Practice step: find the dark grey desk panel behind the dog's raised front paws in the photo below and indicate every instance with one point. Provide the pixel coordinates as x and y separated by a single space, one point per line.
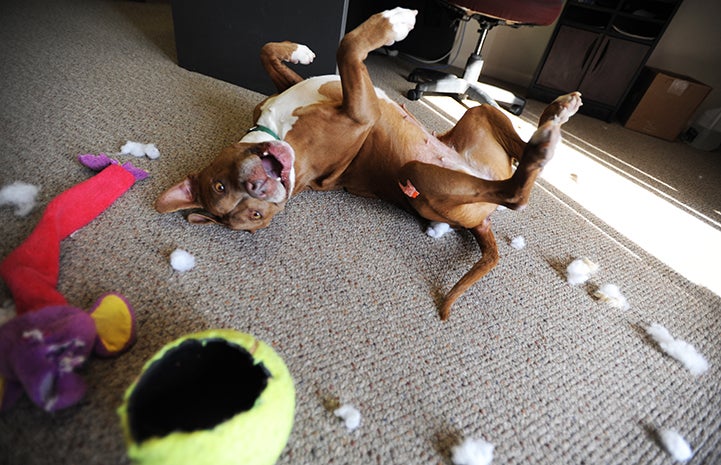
222 38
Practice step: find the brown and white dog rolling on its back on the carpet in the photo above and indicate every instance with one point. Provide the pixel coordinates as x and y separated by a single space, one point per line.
335 132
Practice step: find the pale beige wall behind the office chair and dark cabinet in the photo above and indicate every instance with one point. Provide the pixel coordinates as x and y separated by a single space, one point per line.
690 46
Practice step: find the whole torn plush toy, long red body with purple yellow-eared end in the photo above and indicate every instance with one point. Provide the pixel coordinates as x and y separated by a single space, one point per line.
48 339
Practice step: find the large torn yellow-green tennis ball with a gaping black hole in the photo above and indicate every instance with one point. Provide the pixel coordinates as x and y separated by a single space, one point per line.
216 397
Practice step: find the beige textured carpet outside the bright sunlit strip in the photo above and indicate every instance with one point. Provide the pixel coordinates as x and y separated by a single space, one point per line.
345 289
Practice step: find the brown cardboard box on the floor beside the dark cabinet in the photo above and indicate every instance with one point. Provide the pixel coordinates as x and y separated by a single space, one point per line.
662 103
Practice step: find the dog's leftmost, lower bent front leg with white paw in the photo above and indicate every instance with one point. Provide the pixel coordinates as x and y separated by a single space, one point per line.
274 55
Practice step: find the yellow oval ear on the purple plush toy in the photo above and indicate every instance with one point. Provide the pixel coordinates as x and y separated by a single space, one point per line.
114 323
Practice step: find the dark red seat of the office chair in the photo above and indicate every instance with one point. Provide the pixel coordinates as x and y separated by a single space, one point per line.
537 12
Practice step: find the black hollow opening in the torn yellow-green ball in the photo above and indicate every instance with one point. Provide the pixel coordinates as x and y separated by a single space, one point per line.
195 386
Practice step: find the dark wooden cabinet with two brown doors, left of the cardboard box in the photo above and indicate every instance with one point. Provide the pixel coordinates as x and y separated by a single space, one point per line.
598 48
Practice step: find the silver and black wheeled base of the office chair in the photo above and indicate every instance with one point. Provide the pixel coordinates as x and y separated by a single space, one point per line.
439 83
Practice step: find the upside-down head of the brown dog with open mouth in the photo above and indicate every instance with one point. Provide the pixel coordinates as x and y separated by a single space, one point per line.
243 188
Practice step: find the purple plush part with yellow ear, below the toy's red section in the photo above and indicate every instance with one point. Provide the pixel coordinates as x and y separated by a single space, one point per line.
40 351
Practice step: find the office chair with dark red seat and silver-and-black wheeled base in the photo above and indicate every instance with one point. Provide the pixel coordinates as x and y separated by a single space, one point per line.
489 14
